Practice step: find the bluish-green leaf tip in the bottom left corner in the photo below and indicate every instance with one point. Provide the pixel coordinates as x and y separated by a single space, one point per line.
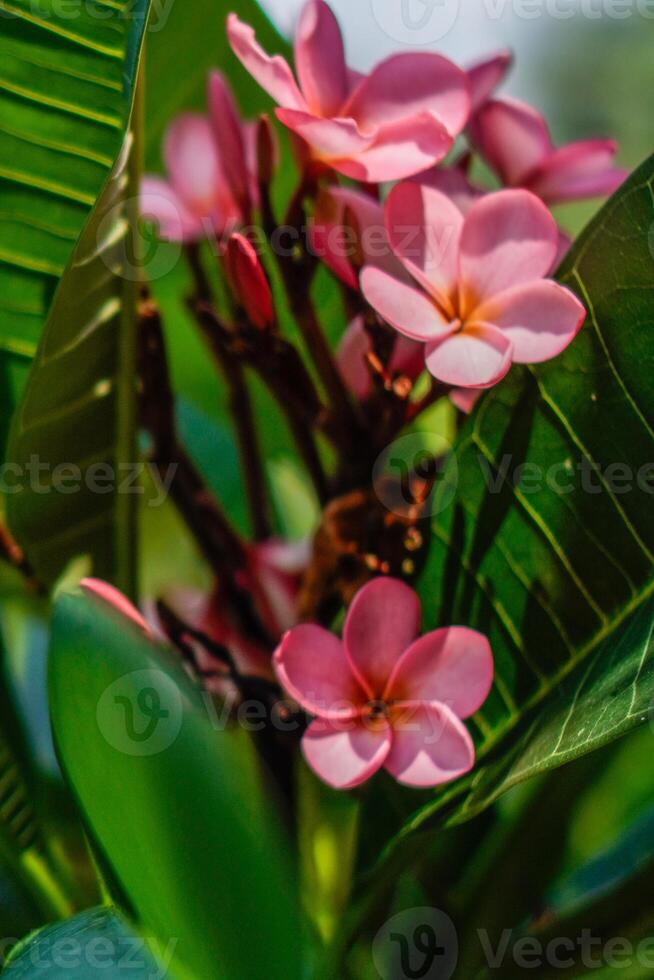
99 943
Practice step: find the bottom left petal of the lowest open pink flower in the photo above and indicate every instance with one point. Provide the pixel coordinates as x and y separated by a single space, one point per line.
345 754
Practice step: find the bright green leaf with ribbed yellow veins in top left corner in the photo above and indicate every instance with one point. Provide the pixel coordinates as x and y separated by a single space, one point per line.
65 91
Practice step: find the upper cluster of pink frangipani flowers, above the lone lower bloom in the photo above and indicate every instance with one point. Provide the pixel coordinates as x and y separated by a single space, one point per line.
463 273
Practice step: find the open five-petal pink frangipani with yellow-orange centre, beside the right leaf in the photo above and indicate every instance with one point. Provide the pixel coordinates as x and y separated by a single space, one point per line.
484 300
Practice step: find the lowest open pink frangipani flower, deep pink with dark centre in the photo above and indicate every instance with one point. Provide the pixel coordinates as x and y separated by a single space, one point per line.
380 696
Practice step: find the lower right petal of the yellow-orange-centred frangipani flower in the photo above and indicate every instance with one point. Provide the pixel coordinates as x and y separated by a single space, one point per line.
539 318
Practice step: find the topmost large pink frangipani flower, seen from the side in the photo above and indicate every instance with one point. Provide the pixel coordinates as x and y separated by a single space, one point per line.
400 119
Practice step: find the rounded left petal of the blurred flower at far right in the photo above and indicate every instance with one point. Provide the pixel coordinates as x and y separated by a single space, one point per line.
512 137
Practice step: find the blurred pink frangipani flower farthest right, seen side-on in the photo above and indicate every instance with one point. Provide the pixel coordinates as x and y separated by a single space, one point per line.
515 142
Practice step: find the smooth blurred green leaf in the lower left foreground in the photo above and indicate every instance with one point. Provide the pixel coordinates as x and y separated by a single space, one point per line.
173 797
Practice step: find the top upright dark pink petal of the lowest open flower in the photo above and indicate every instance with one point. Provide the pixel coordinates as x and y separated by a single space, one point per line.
382 621
